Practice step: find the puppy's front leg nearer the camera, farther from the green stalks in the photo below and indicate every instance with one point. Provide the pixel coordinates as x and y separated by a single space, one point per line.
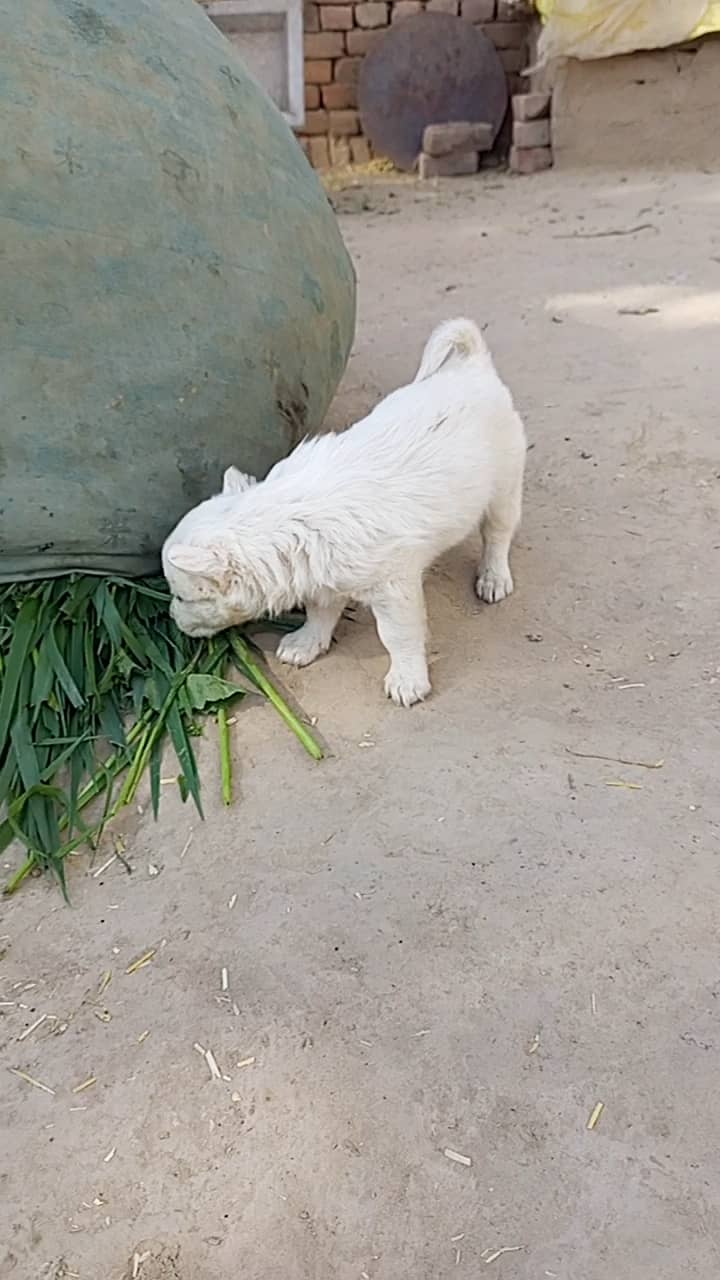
400 615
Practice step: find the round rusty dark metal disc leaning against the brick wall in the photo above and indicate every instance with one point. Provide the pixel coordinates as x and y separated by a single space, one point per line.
430 70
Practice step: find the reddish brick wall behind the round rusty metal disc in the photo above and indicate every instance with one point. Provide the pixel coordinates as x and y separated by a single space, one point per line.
338 36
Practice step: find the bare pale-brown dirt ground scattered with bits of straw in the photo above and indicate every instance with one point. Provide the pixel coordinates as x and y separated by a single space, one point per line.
477 921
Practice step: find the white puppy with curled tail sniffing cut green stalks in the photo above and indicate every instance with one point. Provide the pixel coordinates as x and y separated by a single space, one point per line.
362 515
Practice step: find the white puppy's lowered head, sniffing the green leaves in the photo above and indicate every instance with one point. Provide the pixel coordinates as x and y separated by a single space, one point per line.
212 586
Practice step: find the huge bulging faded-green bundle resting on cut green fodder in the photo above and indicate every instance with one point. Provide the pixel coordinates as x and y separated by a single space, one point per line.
175 292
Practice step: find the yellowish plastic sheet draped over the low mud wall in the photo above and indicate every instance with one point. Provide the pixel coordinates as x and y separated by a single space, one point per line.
601 29
